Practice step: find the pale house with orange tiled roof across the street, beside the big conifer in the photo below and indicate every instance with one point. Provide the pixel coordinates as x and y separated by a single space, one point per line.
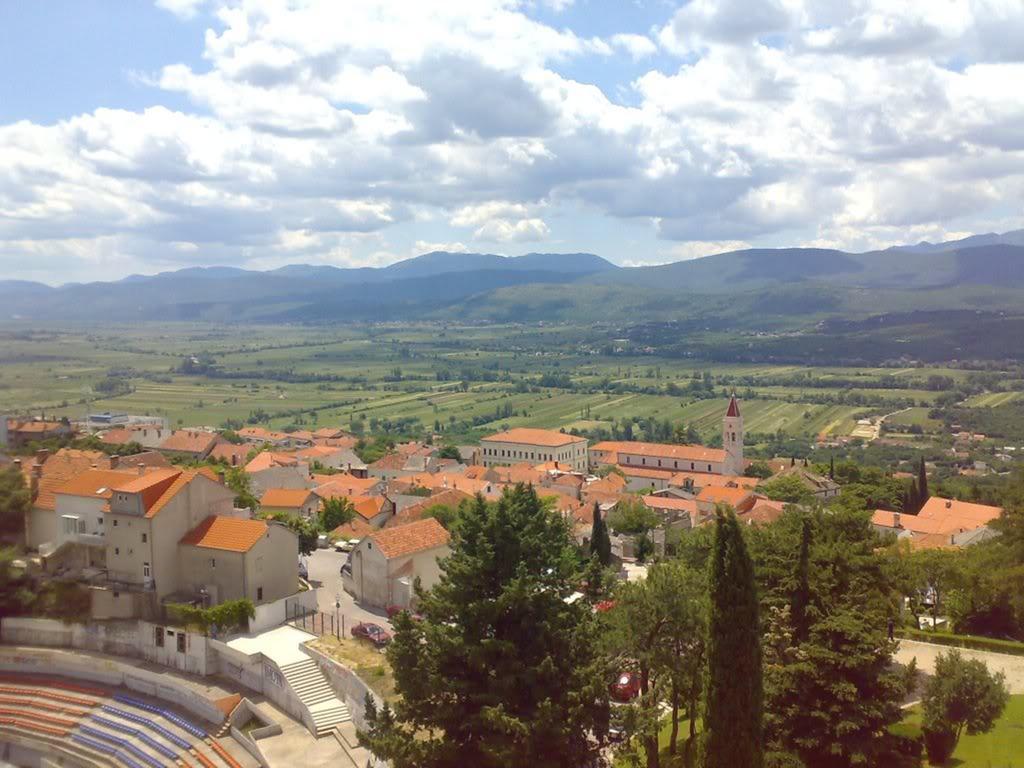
385 567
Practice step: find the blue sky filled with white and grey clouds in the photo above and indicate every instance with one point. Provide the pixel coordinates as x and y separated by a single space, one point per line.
138 138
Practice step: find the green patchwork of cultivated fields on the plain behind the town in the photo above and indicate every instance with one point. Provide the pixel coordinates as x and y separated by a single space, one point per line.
462 380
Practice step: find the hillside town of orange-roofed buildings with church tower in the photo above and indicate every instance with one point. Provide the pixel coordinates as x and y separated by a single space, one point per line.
239 557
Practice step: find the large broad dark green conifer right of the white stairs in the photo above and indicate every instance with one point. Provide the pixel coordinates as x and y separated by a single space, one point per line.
502 670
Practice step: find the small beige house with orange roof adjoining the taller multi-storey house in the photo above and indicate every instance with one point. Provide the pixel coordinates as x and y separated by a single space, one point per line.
232 559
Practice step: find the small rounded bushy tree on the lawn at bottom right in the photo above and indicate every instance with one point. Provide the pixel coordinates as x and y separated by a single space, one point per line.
962 695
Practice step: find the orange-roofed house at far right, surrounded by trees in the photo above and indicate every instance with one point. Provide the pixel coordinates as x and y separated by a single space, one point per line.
942 523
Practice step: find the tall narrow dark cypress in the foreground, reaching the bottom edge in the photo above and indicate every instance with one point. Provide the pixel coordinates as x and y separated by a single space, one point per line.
734 688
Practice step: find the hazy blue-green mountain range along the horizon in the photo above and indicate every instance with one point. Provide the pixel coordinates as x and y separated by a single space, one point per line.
755 288
